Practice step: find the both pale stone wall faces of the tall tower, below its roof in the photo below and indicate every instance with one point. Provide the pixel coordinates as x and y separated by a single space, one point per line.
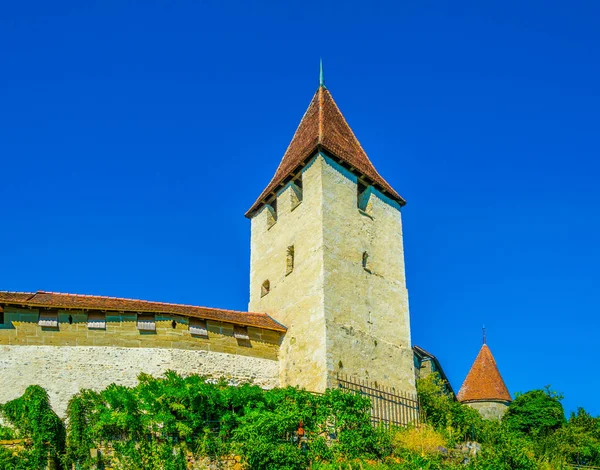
340 317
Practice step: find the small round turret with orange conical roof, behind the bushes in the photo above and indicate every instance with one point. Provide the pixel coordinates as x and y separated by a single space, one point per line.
484 388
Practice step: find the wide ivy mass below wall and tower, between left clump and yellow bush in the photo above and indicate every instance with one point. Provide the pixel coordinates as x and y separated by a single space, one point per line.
177 416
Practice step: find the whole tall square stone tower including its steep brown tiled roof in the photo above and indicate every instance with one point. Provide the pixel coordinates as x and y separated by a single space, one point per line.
327 259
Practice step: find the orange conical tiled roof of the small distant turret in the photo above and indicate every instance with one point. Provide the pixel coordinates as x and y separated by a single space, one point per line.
484 381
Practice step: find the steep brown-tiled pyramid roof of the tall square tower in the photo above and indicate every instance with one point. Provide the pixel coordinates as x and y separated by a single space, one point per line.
324 127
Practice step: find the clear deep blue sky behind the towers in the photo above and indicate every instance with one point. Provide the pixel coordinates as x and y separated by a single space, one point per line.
134 136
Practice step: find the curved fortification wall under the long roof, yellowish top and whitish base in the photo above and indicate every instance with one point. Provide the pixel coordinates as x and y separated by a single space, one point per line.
72 356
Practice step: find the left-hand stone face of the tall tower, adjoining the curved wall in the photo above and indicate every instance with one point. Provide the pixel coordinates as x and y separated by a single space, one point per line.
295 299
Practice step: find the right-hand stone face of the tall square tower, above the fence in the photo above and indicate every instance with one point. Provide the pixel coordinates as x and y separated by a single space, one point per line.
366 307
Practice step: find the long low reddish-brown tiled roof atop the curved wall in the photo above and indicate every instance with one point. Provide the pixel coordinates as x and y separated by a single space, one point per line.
96 302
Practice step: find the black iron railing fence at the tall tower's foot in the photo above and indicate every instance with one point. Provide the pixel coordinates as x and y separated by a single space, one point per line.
388 406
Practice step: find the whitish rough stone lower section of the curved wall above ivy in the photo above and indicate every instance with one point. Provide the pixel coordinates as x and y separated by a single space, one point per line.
64 370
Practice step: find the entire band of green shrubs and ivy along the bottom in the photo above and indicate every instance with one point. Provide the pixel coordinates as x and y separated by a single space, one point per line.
168 422
